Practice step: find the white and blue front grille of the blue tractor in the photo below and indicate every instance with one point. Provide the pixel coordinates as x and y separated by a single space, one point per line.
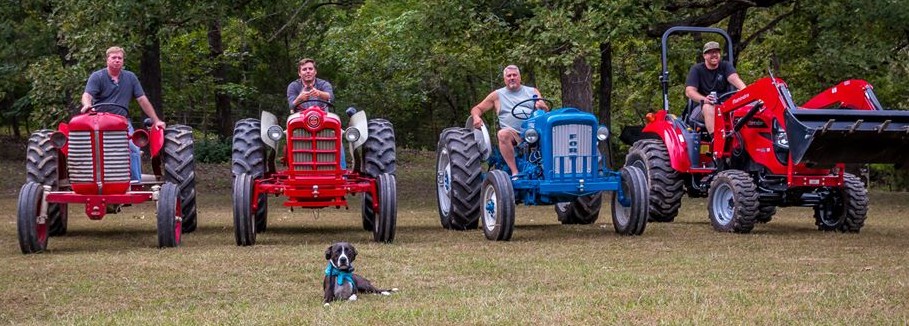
571 151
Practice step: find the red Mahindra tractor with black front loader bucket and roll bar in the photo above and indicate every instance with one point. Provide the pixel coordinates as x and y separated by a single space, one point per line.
766 152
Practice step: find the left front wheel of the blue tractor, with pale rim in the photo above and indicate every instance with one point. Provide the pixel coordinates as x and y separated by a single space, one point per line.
498 206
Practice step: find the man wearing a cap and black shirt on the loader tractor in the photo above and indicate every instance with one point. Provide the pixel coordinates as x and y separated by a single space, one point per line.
712 75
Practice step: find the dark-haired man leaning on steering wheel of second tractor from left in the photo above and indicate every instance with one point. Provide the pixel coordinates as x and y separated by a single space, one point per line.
308 87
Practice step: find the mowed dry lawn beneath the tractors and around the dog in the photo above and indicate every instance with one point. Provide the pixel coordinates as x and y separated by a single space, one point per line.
784 272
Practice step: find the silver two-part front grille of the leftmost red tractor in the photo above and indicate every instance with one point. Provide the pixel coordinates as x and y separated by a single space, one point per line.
114 151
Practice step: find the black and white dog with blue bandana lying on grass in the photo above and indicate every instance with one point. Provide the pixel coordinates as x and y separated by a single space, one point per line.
340 281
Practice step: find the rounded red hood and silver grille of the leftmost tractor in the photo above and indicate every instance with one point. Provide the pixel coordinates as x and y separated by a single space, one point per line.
97 152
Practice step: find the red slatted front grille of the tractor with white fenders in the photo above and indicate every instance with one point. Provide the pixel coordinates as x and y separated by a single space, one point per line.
314 151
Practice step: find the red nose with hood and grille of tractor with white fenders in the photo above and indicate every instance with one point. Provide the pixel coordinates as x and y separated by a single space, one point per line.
314 137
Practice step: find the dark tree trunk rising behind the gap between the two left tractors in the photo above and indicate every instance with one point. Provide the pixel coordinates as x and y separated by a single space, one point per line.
219 74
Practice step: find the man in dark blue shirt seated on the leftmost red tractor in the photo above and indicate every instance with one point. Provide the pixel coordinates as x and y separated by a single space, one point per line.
117 85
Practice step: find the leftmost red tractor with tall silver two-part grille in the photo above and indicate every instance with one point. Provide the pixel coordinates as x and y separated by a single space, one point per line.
87 161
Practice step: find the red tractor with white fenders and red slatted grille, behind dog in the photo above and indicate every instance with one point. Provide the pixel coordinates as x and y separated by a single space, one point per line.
315 174
